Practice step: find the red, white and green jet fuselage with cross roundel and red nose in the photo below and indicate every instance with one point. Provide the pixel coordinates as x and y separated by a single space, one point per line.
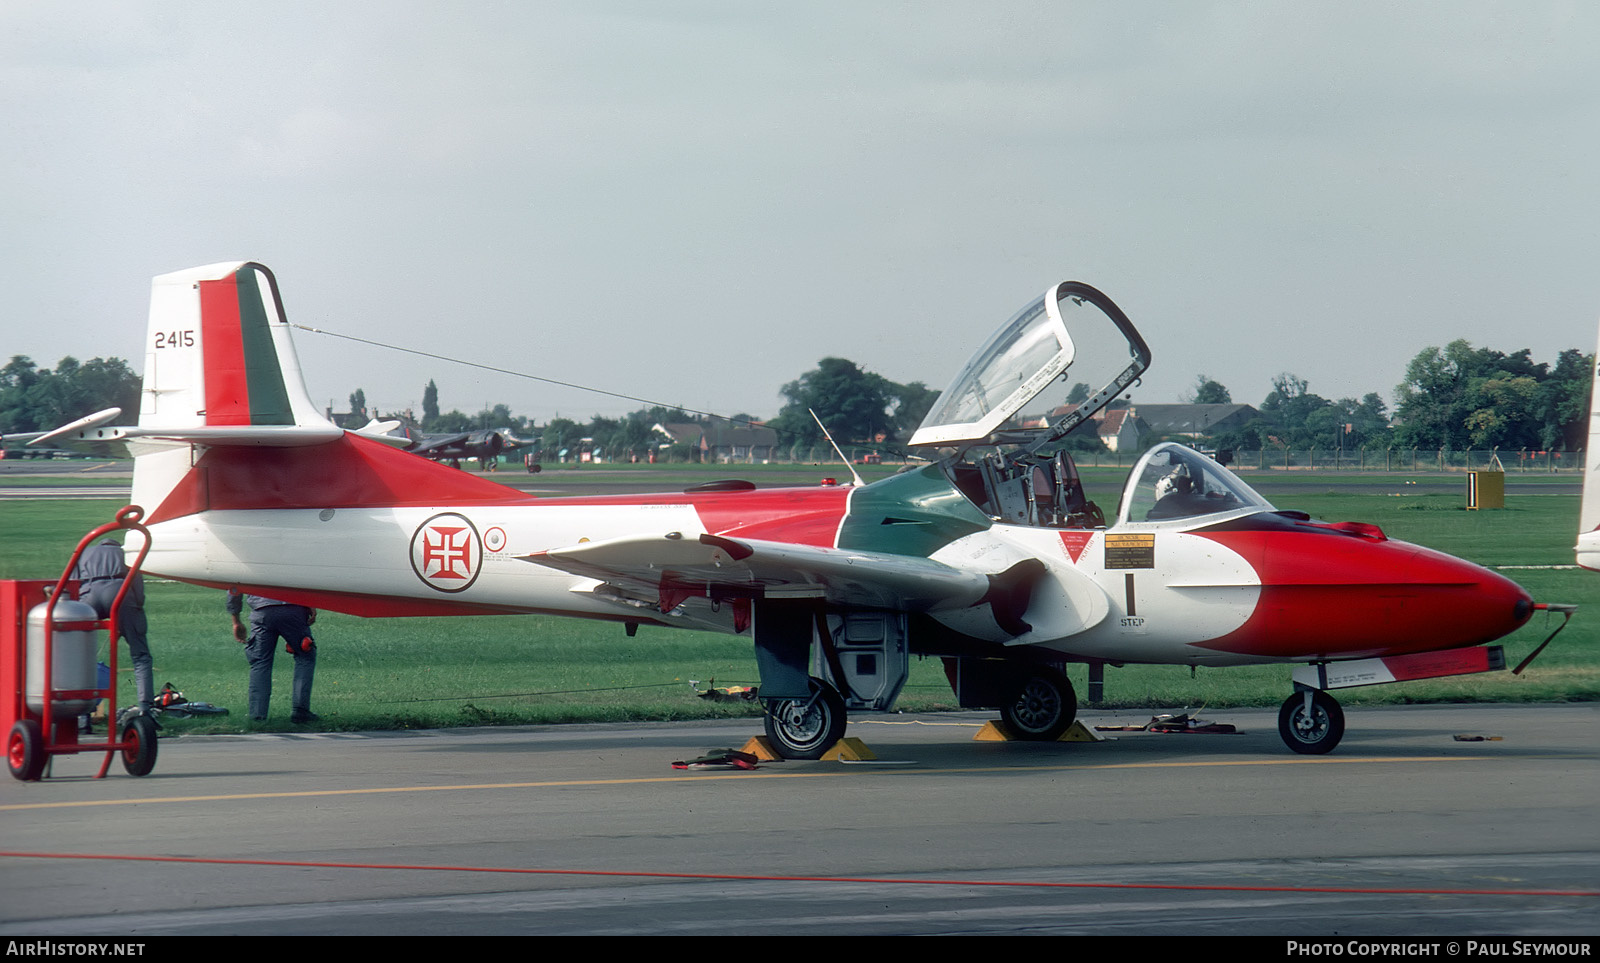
1244 588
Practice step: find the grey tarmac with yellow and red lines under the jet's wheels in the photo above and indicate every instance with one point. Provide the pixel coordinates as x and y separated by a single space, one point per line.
590 831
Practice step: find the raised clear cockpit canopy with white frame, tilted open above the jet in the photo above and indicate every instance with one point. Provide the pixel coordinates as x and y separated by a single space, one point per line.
1046 372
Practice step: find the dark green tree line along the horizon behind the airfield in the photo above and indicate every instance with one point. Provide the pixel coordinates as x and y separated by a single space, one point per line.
1454 398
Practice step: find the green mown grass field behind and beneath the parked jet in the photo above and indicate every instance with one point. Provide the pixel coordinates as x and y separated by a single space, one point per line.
532 669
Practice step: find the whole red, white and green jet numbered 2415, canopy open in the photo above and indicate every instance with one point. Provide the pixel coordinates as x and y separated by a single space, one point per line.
990 556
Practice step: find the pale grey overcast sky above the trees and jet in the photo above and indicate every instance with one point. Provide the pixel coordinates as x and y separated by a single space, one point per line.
694 202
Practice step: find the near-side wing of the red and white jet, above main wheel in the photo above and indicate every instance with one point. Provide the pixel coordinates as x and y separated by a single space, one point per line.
662 567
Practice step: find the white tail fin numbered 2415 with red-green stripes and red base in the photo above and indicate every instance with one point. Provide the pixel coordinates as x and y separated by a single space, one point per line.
226 422
